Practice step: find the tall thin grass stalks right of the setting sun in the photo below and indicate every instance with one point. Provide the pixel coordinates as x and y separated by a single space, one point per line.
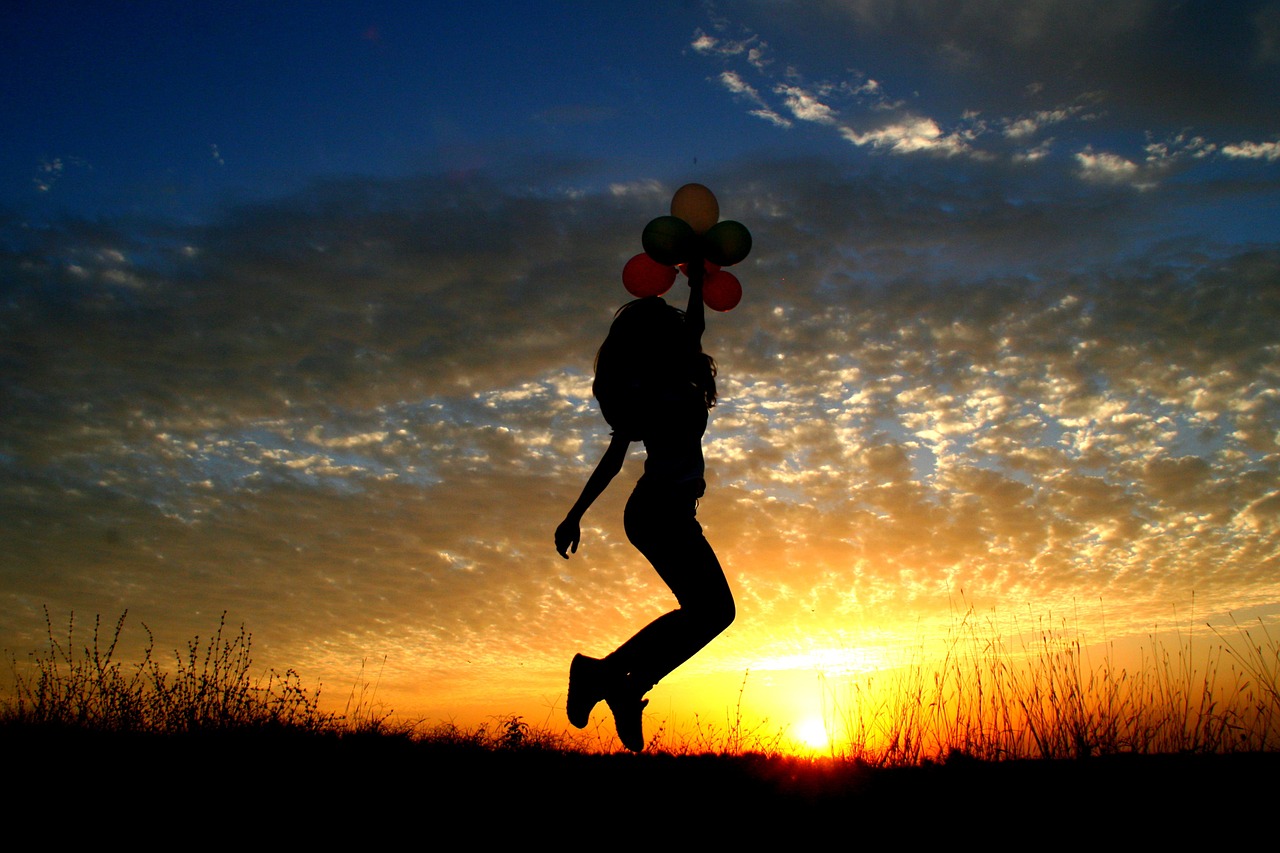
1041 696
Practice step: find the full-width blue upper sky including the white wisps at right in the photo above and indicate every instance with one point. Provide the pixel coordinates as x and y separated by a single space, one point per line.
144 107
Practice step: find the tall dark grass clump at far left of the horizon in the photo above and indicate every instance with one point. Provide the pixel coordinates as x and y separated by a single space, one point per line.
209 687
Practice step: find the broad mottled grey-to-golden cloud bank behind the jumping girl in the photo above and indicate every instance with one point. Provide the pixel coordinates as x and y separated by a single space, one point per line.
355 416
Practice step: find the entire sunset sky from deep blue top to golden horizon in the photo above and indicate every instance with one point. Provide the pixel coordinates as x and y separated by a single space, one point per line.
299 307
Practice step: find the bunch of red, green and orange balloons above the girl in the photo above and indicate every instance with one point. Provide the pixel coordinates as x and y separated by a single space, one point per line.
692 235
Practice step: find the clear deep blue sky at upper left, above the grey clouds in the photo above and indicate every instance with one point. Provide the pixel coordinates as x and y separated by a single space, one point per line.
145 103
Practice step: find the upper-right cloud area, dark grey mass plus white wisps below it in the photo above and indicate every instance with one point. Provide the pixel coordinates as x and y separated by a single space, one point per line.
998 80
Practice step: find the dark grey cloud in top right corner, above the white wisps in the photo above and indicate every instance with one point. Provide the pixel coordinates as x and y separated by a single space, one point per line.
1196 65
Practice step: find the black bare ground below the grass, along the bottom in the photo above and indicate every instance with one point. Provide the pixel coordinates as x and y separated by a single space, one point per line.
312 790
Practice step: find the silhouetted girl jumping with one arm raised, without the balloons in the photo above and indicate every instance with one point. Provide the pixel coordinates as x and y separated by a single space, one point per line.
656 386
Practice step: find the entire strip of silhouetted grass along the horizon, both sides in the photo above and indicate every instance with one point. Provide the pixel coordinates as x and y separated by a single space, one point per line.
988 697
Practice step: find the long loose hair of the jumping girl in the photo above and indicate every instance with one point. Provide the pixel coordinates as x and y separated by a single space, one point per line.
648 349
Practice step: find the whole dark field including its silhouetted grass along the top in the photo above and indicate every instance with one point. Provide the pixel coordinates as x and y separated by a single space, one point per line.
1030 740
